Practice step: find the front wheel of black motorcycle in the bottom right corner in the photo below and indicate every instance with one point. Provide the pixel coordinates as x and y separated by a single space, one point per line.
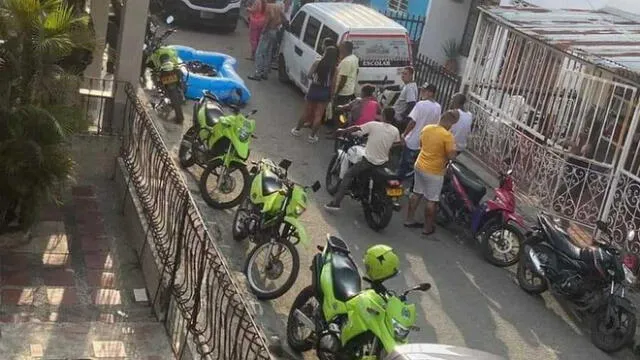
608 337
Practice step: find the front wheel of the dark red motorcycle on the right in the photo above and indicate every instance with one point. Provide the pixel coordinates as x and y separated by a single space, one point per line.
501 244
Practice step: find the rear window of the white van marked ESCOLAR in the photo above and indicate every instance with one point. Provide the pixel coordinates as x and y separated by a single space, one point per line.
381 50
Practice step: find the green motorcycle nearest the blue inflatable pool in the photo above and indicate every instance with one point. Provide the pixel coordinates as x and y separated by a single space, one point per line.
220 144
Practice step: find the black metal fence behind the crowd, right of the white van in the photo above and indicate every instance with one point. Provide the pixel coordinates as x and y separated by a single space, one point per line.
429 71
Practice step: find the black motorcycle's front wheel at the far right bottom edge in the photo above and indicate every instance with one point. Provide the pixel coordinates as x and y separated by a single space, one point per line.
599 322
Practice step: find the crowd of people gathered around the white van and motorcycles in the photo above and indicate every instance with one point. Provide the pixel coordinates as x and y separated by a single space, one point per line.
429 136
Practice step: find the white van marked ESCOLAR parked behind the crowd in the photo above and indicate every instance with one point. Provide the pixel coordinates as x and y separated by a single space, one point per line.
381 44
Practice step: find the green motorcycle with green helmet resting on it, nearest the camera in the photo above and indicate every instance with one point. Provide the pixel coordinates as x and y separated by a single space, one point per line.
342 321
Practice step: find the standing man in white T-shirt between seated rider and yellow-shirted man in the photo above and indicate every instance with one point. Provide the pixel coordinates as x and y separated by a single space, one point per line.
426 112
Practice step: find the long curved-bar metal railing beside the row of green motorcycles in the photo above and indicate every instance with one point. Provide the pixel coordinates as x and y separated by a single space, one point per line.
194 274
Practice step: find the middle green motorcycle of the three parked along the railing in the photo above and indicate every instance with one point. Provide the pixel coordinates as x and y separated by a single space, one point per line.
269 217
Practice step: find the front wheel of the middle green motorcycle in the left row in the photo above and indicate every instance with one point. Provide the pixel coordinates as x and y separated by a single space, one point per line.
264 279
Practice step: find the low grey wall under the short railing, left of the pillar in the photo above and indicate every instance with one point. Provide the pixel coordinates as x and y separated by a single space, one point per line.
95 156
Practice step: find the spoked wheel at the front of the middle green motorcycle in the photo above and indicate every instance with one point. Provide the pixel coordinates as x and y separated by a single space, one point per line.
269 294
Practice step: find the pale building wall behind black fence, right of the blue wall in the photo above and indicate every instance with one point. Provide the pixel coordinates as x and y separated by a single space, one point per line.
446 20
